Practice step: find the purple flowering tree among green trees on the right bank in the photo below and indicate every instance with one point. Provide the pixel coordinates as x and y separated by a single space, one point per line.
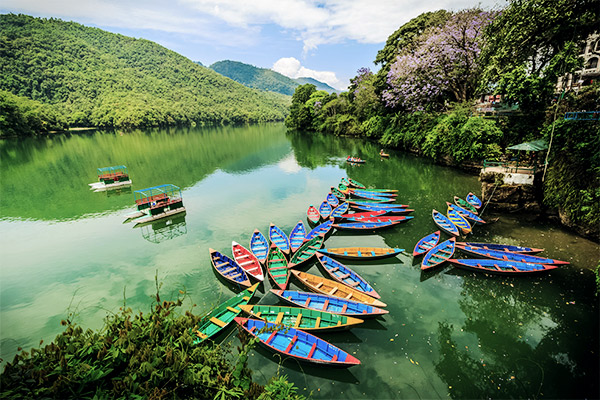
442 66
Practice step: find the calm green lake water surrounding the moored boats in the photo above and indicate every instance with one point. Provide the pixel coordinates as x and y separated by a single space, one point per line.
65 252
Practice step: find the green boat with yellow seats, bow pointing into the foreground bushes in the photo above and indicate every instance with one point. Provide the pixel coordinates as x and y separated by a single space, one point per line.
222 315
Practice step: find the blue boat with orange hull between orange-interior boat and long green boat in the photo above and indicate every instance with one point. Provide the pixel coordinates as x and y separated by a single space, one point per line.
332 304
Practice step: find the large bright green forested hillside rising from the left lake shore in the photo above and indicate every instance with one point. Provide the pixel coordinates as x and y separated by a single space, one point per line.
91 77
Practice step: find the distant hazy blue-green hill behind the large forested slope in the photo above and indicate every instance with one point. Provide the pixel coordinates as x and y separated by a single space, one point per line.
264 79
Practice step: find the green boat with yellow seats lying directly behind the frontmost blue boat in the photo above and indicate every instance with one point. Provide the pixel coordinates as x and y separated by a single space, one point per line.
301 318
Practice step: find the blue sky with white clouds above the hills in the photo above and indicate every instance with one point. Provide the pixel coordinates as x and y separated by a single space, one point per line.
328 40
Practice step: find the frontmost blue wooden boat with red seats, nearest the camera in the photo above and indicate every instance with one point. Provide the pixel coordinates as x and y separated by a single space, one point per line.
297 344
